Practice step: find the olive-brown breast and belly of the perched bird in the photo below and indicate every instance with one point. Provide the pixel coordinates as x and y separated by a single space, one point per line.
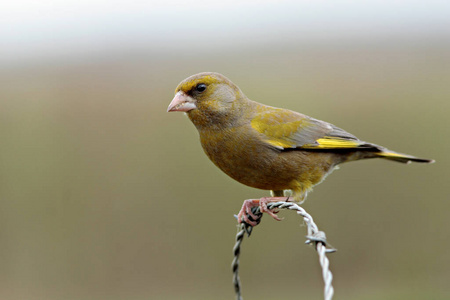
250 161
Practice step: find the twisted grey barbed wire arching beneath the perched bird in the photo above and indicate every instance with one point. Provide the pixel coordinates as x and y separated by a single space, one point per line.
314 237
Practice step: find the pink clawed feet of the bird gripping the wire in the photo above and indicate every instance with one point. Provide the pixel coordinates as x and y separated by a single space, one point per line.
246 211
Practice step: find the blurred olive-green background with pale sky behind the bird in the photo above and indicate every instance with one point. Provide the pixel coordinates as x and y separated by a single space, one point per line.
104 195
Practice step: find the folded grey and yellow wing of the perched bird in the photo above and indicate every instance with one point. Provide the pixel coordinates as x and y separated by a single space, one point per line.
285 129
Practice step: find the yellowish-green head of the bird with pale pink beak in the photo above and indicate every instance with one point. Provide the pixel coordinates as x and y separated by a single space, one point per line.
208 99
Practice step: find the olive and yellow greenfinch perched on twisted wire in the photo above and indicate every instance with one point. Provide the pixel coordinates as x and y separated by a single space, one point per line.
266 147
